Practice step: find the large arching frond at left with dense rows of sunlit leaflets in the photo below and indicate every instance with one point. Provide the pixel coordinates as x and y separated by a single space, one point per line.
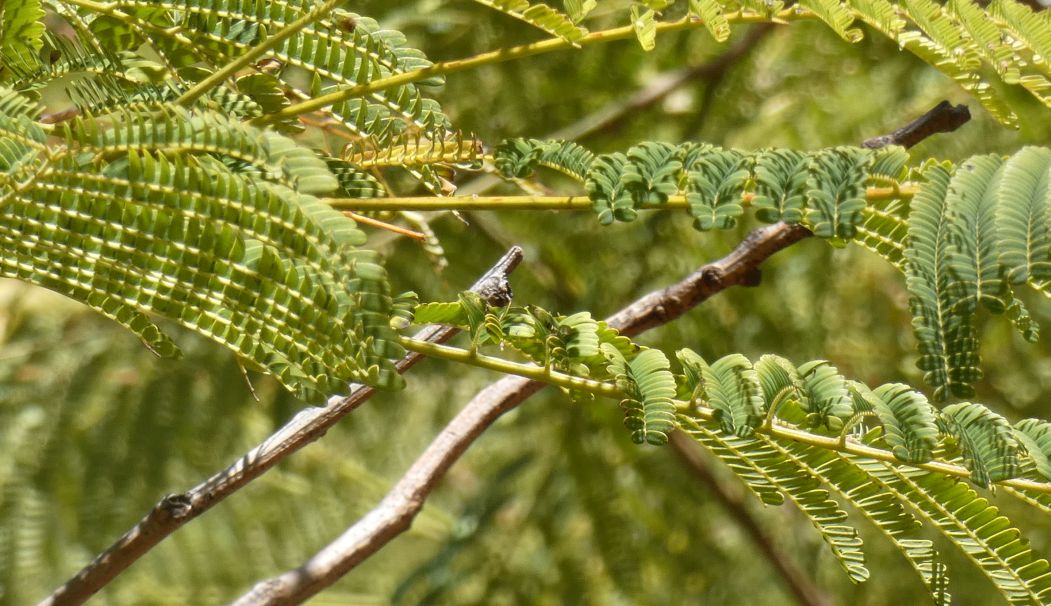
205 221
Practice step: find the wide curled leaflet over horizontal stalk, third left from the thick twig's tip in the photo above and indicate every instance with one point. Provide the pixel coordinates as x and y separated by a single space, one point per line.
716 182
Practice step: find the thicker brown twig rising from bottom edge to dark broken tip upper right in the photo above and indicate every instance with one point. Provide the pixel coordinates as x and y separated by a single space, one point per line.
397 511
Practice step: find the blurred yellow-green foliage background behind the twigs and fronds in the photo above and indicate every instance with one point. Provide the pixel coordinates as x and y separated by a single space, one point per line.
554 506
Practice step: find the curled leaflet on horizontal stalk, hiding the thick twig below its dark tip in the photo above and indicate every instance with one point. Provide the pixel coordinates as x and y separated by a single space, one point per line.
836 193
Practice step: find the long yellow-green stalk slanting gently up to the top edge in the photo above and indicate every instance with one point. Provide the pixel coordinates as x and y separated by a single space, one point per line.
511 54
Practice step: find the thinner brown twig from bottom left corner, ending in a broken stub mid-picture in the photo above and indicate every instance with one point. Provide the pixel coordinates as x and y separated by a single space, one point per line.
175 511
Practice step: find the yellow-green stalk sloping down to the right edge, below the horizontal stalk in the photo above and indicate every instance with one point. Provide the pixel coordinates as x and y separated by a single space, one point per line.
775 429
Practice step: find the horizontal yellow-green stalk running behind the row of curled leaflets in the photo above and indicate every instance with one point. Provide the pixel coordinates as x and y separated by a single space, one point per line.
468 203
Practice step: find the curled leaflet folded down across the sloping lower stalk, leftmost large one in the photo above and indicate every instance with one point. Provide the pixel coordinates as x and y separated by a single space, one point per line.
650 387
